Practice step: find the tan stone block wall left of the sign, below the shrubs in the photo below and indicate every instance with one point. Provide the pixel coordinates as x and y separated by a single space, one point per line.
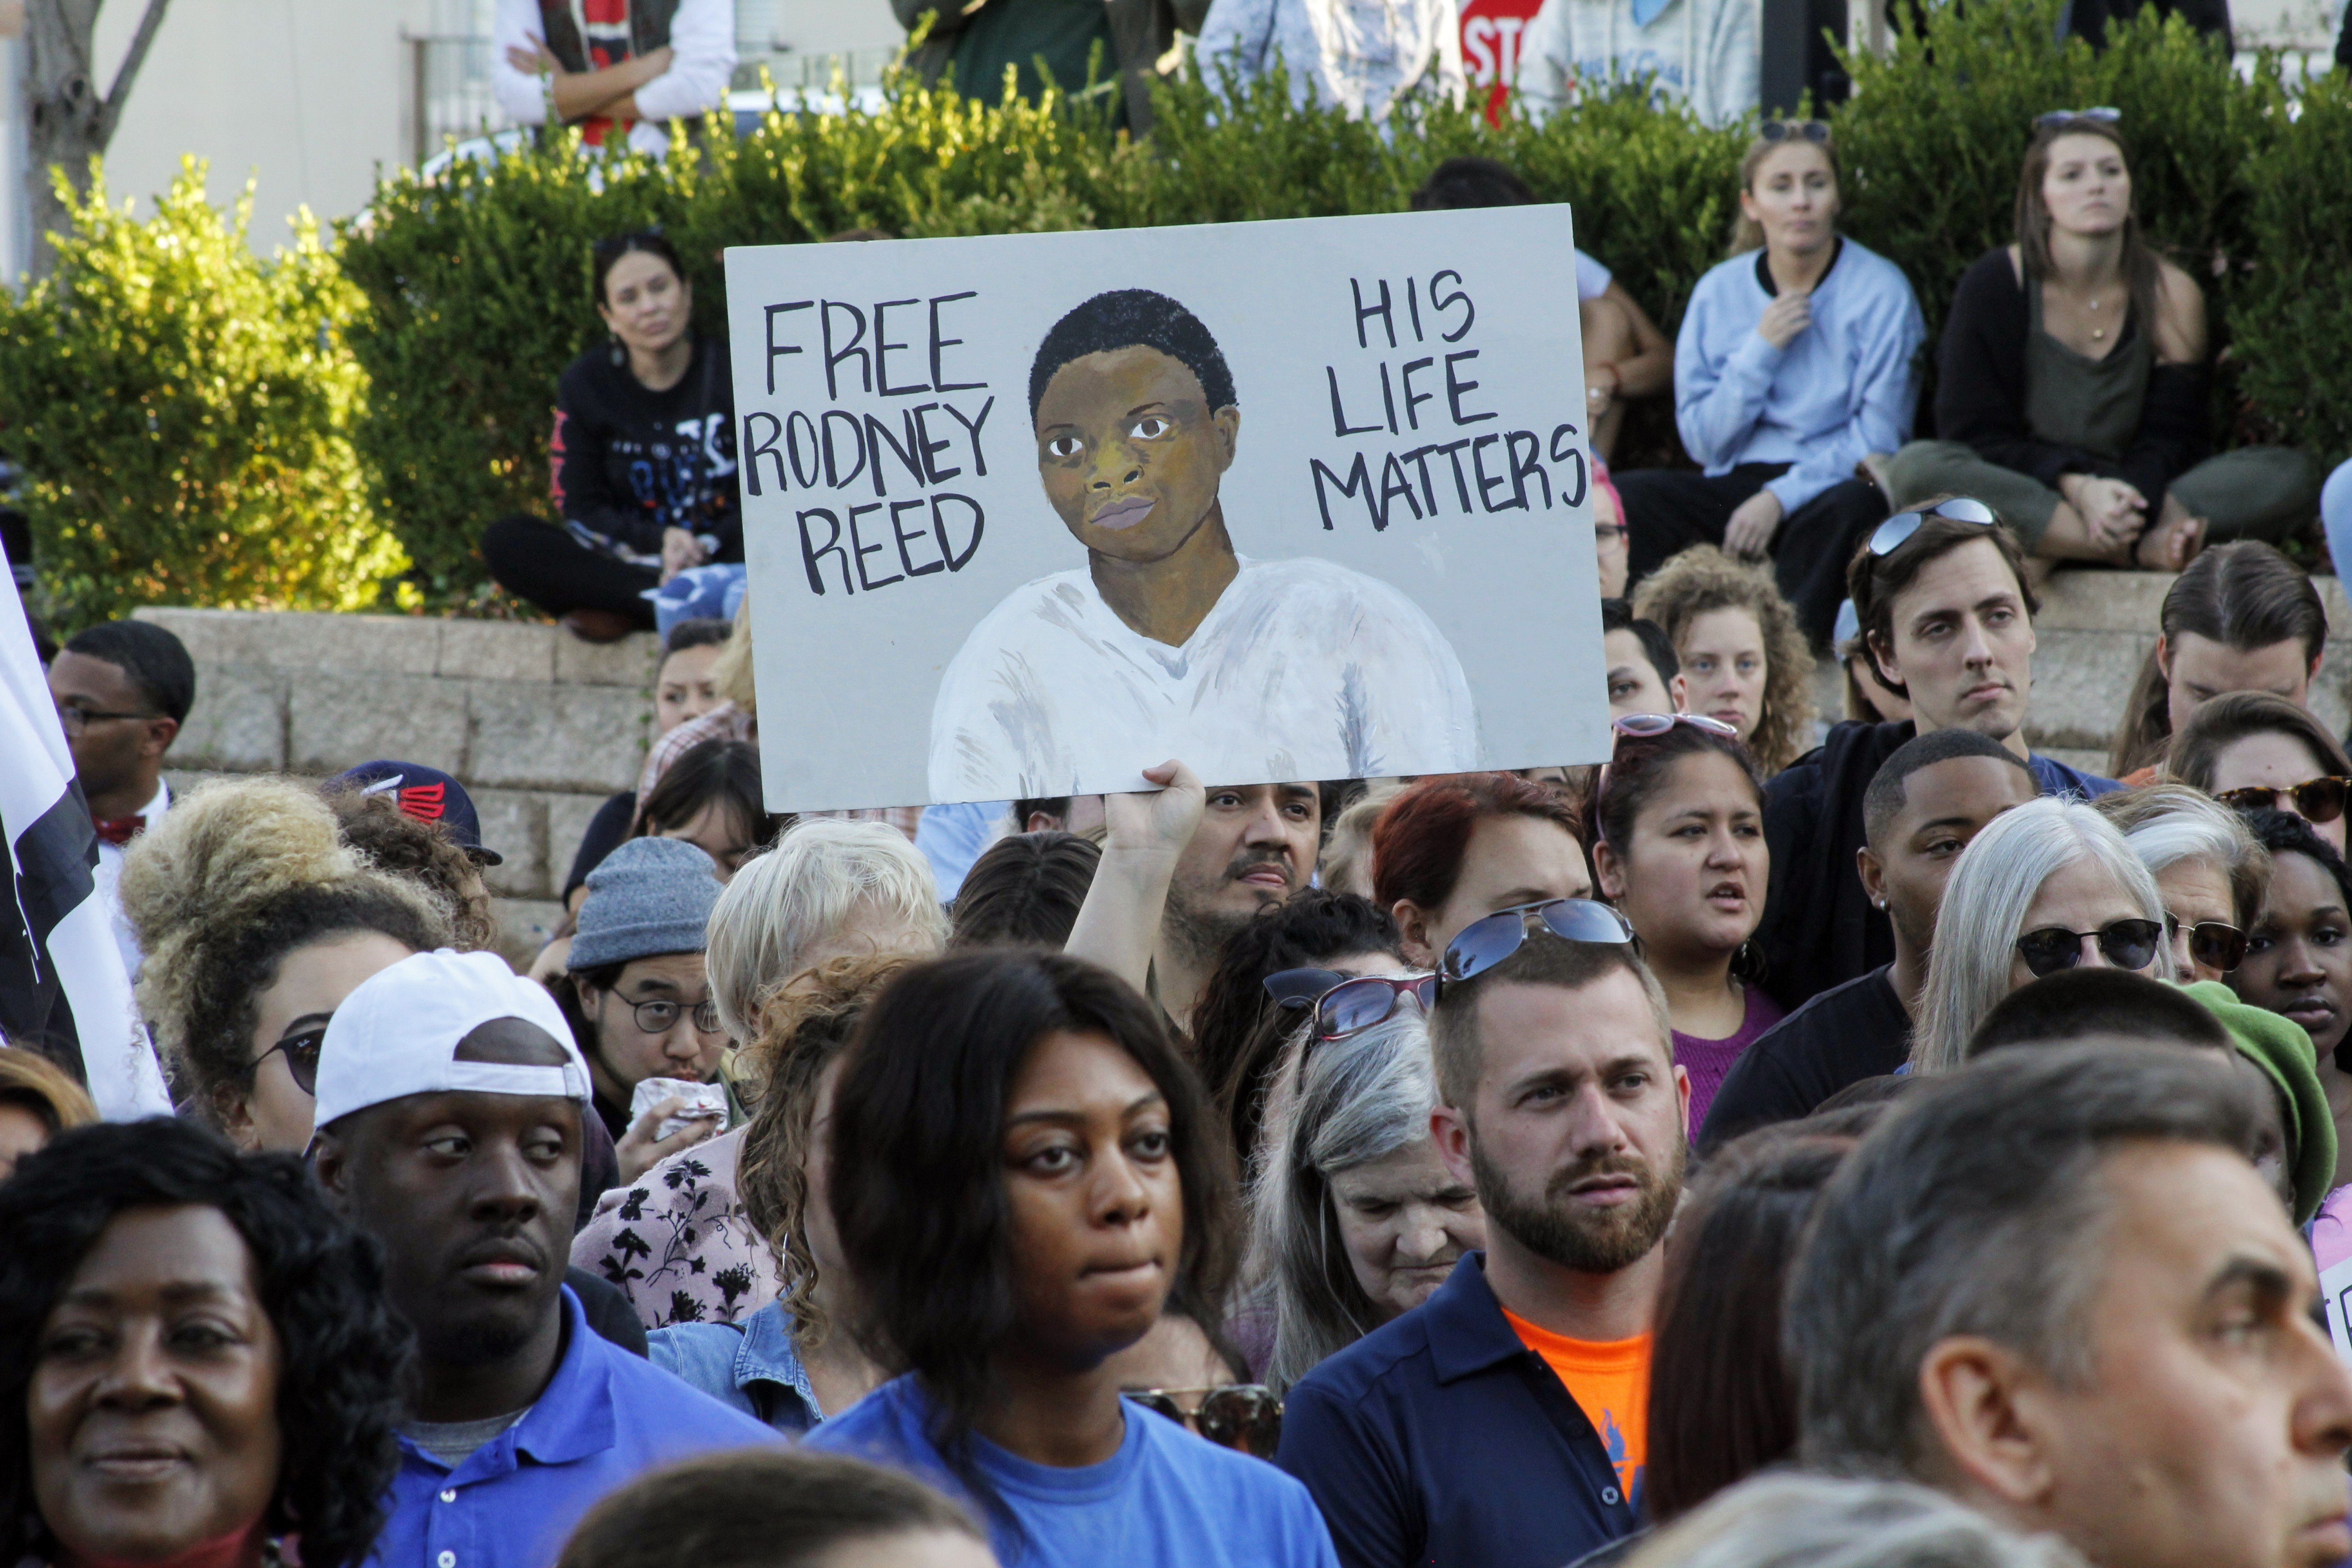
535 723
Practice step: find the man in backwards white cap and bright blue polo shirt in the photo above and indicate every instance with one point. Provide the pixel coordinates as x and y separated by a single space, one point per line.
450 1106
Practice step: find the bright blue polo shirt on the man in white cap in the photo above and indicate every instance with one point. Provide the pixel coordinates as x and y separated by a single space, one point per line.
606 1419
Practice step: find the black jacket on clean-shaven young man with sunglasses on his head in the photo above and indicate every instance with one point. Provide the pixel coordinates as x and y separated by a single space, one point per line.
1819 927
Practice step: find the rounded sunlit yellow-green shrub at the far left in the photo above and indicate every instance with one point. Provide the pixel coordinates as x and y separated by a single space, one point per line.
185 415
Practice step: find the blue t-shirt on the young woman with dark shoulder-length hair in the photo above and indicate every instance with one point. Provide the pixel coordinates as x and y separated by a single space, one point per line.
1168 1499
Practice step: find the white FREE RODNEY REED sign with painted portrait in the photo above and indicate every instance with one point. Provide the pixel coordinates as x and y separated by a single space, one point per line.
1290 502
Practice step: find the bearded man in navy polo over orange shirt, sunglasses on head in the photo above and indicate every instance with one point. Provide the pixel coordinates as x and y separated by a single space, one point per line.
1504 1423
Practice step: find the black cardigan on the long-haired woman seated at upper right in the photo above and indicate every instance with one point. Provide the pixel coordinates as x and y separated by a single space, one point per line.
1982 394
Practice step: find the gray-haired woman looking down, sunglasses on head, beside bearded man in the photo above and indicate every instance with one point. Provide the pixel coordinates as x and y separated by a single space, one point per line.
1356 1217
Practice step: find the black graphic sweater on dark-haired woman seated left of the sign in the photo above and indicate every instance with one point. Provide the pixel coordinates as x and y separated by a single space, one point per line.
632 462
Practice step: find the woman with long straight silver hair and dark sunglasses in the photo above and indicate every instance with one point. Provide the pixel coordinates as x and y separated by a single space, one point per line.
2045 887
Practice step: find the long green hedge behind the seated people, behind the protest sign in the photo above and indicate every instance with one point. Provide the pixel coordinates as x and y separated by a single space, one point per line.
476 283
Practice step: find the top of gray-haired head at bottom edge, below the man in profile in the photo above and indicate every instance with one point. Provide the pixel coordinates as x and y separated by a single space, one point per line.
1829 1522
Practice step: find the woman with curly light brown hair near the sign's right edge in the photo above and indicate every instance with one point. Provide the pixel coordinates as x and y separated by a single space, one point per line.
1742 650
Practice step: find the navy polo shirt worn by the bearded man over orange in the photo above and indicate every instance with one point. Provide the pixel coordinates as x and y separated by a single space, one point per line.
1445 1440
